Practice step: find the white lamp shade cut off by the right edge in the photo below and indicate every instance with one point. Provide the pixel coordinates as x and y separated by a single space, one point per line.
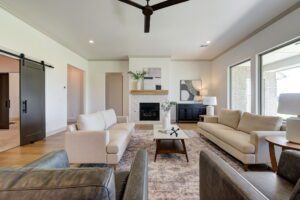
289 103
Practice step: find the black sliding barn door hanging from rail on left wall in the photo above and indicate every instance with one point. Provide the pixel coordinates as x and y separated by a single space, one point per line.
32 105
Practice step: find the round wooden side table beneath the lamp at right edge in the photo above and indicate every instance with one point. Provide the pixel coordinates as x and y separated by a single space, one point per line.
282 142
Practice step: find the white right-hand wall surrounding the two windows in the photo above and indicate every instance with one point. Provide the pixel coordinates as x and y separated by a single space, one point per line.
281 31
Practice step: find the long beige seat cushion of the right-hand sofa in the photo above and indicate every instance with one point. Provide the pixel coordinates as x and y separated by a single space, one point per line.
237 139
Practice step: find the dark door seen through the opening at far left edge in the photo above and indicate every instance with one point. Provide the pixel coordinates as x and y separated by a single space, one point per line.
4 101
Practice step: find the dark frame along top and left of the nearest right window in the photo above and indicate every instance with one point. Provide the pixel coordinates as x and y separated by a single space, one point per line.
260 69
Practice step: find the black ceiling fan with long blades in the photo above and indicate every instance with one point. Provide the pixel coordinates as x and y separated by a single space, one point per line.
148 10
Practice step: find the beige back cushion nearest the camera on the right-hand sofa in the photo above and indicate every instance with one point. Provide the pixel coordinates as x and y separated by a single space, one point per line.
250 122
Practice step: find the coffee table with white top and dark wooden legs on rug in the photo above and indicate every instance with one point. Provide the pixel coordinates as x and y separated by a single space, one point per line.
166 143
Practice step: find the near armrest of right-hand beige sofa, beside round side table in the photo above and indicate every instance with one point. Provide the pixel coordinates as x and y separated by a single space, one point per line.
258 139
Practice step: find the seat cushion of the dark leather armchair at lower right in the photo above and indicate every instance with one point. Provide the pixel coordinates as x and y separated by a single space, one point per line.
271 185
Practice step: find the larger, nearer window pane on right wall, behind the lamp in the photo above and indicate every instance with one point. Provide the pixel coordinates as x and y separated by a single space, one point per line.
280 73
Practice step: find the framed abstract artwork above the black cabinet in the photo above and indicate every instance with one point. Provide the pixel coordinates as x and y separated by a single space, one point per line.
190 90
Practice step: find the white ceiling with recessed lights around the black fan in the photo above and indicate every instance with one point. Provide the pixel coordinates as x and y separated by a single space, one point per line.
117 28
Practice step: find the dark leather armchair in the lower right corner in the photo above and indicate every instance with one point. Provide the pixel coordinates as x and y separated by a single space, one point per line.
219 181
